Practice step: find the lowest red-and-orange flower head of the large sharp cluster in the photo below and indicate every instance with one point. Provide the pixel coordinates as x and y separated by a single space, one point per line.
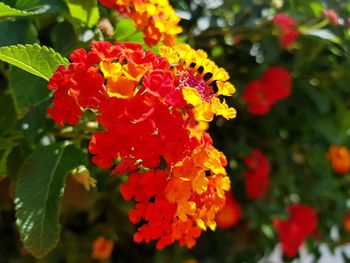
180 204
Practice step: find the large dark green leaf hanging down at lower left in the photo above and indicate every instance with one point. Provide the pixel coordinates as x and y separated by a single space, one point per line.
39 190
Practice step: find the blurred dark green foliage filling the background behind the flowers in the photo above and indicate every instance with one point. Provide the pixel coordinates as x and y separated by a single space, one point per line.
239 36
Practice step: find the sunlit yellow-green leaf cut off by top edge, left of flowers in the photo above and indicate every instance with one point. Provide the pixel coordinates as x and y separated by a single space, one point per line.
84 12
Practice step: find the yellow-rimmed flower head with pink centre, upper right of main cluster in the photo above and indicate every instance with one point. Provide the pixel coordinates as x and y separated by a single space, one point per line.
201 82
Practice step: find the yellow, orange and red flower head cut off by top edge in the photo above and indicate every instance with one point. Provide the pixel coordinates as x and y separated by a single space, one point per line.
156 18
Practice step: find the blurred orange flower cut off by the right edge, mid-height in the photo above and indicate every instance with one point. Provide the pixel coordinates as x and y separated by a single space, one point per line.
339 157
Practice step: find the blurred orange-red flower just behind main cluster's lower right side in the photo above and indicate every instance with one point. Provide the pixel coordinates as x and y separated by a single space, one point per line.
230 214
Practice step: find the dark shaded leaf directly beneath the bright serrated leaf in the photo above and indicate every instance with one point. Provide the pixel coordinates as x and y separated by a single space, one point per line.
27 90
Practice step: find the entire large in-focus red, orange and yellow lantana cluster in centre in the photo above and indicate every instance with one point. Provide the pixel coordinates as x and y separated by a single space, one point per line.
153 111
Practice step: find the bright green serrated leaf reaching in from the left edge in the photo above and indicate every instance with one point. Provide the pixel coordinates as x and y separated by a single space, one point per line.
35 59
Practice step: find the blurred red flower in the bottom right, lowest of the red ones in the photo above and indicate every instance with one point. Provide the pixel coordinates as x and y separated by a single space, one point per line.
301 224
